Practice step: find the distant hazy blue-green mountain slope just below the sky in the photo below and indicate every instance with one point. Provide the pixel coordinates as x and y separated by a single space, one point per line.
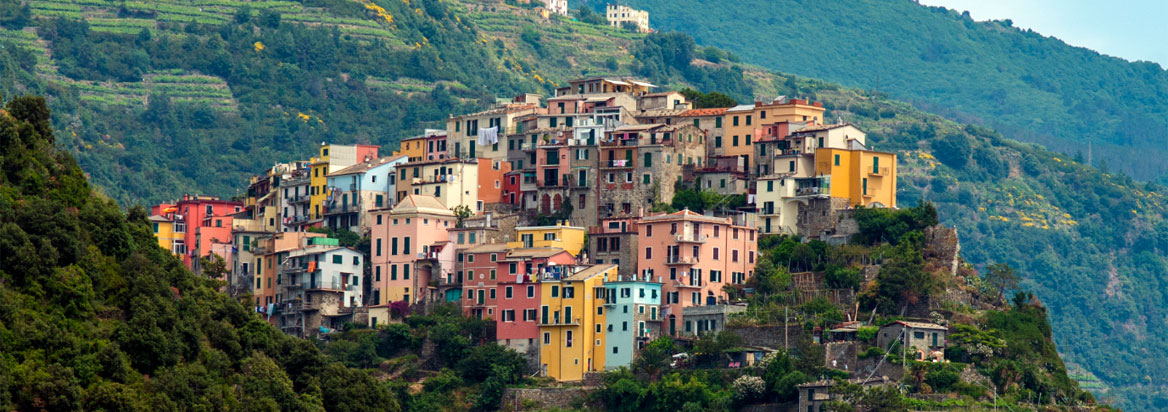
1030 87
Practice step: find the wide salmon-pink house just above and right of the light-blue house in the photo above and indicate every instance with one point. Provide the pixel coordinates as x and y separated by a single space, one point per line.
694 256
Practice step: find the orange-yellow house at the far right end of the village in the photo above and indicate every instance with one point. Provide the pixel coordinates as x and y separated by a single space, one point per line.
865 178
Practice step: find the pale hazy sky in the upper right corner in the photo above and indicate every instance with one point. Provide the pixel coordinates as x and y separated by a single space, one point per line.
1132 30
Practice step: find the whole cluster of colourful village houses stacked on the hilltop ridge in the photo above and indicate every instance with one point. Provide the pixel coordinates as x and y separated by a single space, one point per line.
558 221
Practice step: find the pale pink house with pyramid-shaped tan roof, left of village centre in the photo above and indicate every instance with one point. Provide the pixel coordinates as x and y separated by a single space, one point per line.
409 247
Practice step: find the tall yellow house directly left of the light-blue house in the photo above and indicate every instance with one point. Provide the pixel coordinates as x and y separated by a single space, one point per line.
572 322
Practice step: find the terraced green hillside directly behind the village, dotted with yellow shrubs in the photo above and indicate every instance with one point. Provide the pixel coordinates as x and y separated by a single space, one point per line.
1090 245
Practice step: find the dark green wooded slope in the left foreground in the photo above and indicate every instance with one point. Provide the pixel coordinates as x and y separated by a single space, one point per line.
96 317
